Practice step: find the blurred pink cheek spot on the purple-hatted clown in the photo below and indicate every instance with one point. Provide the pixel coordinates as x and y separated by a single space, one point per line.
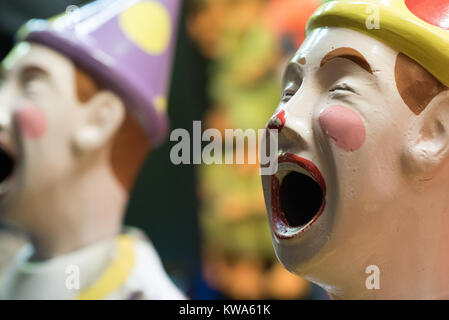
33 122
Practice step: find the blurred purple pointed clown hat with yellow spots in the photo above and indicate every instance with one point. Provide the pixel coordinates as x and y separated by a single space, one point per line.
127 45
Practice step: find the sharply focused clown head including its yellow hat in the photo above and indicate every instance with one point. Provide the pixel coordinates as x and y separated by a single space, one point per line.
363 168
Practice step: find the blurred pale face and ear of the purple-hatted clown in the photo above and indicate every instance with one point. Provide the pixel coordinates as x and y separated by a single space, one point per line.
45 132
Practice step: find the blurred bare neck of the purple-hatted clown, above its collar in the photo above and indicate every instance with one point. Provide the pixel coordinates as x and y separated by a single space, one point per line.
86 210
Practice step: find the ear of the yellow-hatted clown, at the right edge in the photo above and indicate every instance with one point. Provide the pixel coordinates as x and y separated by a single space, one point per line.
427 147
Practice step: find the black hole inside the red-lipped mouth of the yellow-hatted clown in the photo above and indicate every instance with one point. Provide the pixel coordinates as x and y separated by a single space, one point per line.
300 198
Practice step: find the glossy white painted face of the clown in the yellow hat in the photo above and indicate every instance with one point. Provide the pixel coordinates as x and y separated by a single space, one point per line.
358 169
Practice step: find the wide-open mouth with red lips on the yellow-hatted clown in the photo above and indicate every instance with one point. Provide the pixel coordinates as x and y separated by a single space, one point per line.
298 193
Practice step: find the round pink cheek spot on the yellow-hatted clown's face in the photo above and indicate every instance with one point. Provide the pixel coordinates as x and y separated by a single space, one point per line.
344 126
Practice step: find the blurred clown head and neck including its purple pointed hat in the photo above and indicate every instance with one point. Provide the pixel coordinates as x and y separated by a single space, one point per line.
81 104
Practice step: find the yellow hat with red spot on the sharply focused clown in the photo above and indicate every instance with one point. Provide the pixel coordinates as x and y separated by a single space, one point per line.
417 28
